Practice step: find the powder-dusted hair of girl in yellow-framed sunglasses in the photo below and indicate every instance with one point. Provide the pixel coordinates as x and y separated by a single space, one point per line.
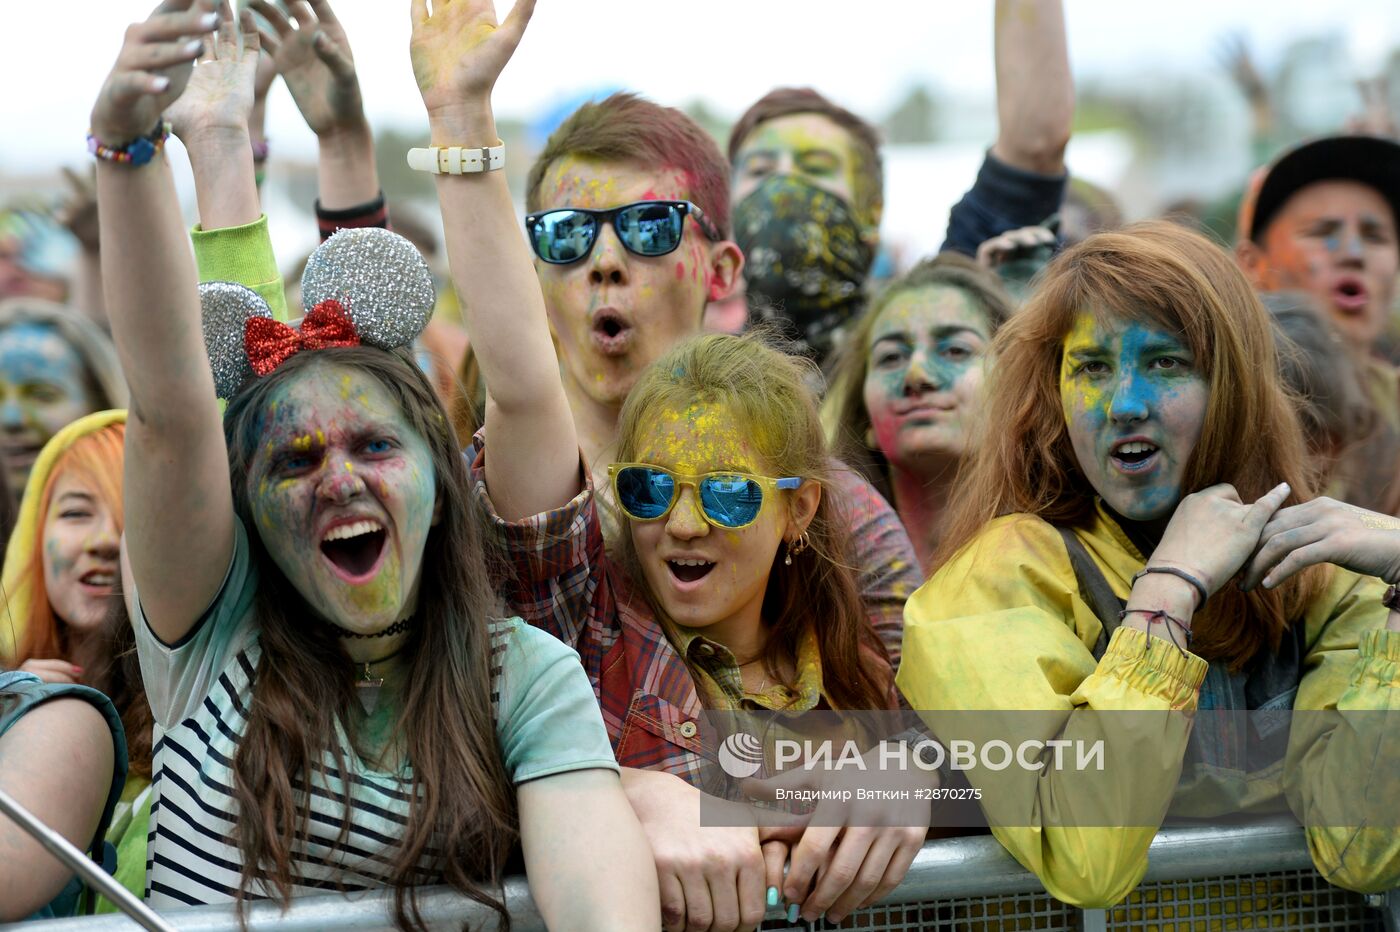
766 391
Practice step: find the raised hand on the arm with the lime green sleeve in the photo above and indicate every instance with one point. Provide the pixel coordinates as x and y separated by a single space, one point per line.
222 90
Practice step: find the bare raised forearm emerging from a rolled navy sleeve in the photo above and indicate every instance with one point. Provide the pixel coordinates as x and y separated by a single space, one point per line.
1035 93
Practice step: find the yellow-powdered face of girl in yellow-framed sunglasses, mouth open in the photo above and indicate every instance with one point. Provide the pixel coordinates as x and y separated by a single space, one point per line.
703 576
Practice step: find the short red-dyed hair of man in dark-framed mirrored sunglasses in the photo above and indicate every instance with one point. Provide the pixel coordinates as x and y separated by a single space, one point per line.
626 128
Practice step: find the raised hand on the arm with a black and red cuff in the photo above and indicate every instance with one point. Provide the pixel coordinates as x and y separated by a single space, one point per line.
313 55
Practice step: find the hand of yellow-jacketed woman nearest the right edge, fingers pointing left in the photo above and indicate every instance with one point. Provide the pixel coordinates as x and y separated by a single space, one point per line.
1325 531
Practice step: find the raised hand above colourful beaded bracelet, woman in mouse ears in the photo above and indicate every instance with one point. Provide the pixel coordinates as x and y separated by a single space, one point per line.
152 69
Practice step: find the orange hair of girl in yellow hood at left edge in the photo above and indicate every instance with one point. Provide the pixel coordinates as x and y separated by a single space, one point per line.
97 458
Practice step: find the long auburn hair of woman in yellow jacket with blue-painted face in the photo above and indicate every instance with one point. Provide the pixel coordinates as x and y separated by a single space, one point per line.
1172 279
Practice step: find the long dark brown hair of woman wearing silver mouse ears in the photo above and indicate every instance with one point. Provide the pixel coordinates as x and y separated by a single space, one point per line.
463 810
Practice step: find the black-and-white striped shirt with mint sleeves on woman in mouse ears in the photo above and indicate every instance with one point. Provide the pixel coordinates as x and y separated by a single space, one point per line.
201 692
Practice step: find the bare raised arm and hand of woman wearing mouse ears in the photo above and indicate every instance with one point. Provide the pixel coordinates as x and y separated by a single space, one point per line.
180 517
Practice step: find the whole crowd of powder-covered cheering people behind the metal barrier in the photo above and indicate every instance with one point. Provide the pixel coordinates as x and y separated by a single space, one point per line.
372 600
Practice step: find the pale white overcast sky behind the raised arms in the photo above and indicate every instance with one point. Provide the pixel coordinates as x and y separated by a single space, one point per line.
727 52
